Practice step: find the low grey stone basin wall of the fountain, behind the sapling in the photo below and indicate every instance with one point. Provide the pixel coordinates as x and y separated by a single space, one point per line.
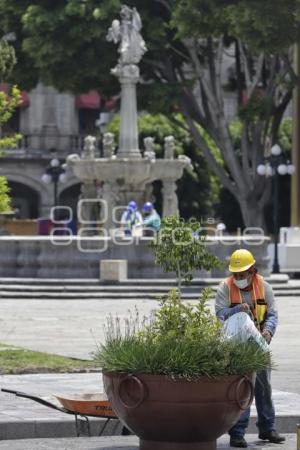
77 257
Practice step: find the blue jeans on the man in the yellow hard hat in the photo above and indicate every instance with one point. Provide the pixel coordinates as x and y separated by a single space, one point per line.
264 407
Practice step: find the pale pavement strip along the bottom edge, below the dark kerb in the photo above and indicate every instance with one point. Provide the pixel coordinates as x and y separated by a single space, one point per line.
128 443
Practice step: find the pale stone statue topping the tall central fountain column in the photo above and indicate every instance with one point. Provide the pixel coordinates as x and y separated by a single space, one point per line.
132 45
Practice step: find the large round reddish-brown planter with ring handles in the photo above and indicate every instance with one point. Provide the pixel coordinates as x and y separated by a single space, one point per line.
168 414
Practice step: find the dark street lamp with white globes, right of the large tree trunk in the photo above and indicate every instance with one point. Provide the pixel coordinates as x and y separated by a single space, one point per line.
275 165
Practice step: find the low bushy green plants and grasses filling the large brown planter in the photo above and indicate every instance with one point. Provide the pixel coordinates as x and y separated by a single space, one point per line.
181 340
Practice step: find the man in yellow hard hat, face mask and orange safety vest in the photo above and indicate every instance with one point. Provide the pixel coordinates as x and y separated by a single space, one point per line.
245 290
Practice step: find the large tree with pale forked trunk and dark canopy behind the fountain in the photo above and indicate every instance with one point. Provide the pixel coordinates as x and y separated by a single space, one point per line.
190 42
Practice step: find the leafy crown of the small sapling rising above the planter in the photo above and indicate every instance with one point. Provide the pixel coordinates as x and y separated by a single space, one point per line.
180 248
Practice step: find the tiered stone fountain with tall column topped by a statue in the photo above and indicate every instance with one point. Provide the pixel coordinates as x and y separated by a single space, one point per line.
128 173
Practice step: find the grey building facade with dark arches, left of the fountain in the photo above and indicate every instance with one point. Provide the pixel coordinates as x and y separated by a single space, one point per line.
52 124
